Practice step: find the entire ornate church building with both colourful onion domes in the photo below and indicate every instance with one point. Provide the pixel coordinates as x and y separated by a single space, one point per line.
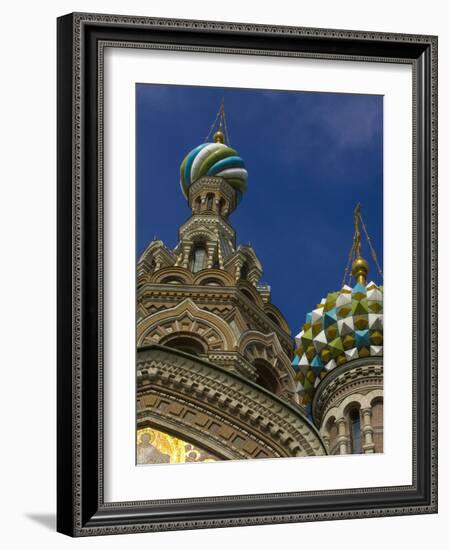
218 374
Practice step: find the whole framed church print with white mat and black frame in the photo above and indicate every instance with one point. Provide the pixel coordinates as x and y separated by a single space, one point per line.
246 274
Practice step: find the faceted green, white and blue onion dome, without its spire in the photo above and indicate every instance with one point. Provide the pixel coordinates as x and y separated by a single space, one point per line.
346 325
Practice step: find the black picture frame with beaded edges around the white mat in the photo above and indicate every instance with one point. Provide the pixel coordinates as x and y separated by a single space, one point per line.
81 509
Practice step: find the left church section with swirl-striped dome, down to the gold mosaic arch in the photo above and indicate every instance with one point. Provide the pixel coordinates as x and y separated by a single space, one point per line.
214 354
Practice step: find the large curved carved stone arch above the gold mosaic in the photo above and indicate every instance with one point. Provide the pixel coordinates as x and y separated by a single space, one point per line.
226 398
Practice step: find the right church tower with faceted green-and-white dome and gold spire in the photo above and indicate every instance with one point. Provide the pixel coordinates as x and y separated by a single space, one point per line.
339 359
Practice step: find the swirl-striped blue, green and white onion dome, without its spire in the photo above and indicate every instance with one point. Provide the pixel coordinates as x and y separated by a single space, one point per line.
214 159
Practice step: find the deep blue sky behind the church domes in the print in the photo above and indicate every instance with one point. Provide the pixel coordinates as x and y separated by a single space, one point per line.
310 157
